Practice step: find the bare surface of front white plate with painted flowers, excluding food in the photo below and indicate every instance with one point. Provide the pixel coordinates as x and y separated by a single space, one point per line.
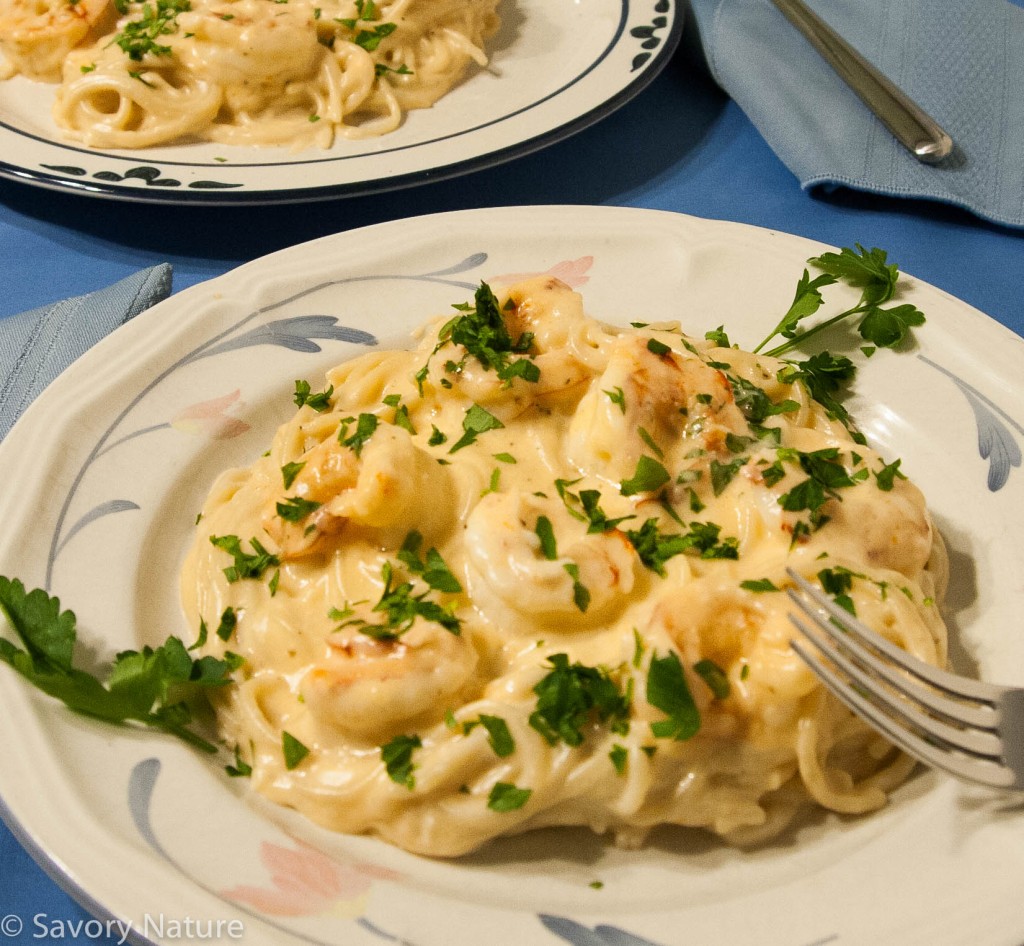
105 474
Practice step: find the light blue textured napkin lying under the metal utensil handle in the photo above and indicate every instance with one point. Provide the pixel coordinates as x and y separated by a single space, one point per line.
963 61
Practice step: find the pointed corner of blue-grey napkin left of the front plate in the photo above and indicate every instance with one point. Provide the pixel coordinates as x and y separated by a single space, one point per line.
36 347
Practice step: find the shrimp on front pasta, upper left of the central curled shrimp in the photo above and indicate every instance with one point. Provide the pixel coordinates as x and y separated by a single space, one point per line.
380 488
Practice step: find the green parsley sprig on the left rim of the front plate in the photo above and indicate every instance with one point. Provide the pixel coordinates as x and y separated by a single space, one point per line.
155 687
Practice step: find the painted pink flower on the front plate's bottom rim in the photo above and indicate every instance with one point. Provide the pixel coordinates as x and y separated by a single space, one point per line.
307 882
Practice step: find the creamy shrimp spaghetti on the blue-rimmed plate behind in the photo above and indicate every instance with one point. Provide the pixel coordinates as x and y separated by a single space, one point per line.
298 73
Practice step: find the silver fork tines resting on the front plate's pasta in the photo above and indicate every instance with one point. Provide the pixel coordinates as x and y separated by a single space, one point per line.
971 729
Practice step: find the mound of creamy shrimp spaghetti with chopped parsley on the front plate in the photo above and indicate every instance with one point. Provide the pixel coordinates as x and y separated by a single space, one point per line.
532 573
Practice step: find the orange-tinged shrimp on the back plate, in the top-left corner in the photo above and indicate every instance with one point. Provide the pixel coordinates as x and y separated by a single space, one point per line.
37 35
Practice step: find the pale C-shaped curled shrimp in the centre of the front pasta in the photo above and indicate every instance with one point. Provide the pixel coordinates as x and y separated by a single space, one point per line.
507 558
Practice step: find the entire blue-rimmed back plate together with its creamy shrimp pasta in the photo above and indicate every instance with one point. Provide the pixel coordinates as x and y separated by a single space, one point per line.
231 102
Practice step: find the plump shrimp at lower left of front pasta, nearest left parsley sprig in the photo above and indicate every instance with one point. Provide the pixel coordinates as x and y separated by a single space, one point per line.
368 686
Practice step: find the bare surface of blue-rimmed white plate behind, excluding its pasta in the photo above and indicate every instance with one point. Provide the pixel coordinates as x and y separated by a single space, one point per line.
556 69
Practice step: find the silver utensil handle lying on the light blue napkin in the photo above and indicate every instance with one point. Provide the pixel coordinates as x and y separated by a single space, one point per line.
917 131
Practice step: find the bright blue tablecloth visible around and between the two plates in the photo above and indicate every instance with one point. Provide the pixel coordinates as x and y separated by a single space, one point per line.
681 146
